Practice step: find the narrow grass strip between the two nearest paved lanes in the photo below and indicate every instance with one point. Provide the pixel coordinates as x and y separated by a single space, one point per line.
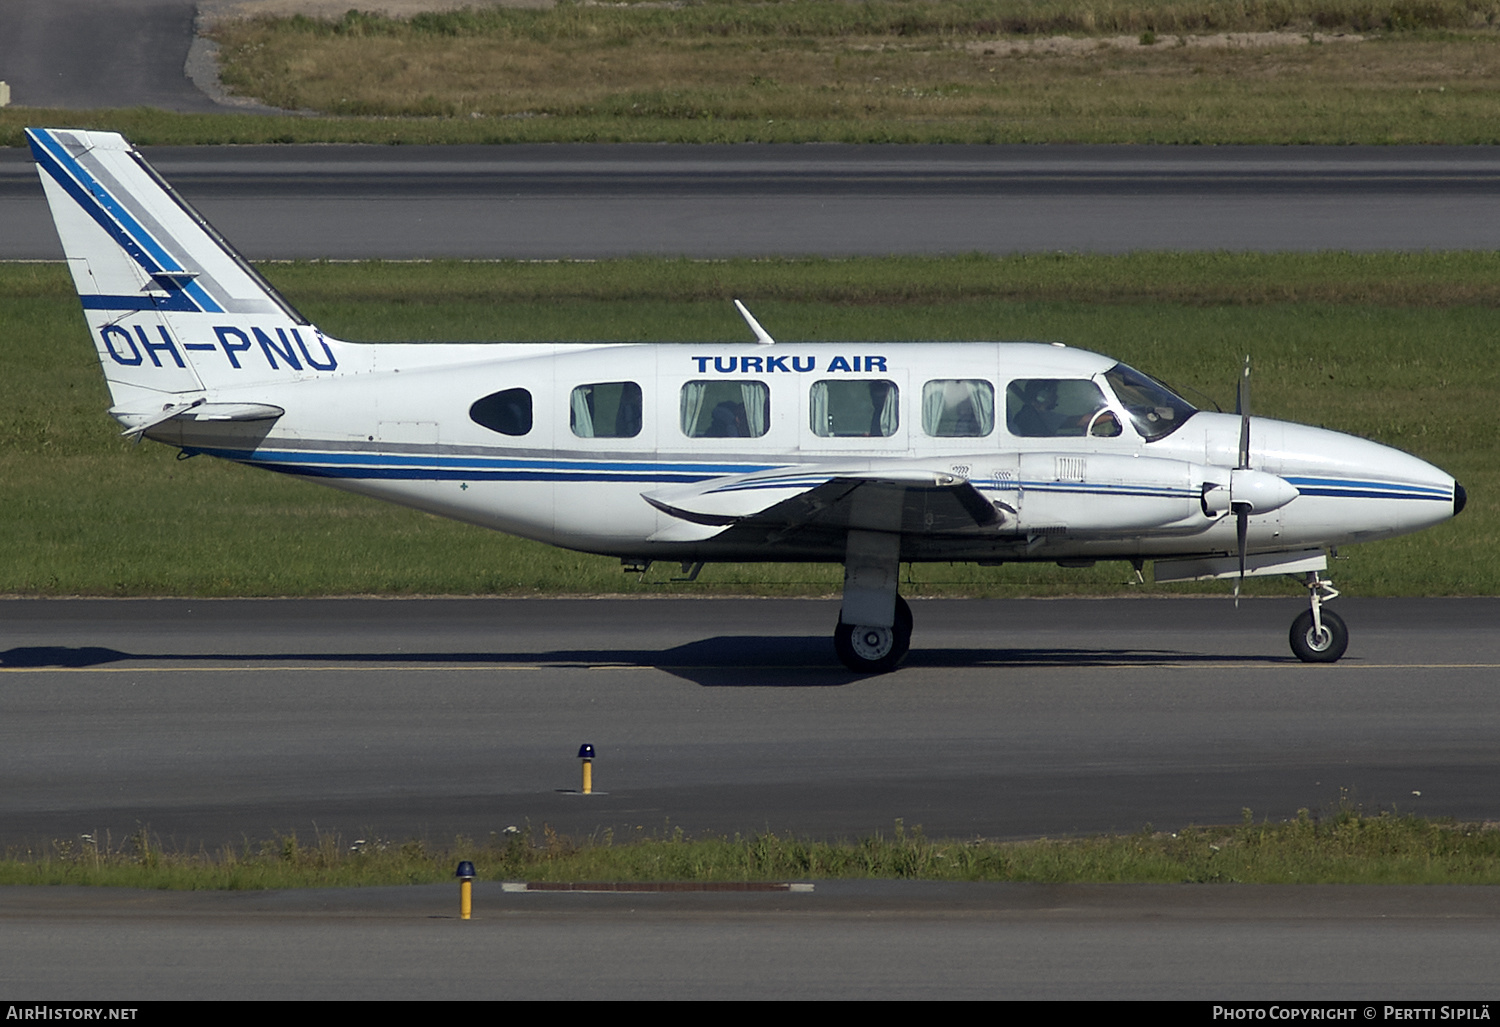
1345 848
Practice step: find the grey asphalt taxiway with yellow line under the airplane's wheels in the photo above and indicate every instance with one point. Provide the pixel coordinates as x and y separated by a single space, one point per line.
211 722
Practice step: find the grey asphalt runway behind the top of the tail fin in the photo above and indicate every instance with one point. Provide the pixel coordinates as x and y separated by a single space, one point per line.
599 202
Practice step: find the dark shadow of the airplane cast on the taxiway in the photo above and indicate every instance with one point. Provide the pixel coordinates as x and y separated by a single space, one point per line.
740 662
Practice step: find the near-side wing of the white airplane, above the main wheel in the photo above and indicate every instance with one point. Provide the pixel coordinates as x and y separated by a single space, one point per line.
904 499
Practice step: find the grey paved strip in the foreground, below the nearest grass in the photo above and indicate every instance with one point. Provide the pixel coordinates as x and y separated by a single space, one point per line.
1367 947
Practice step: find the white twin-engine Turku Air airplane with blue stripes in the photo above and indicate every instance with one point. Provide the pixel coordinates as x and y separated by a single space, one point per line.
862 454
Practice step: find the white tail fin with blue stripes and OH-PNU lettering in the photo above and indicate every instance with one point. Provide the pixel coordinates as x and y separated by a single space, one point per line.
175 311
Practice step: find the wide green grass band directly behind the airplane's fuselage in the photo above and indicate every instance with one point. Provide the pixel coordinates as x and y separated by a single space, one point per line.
1399 349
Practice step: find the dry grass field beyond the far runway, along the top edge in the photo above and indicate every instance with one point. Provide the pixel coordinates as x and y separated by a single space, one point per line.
880 71
